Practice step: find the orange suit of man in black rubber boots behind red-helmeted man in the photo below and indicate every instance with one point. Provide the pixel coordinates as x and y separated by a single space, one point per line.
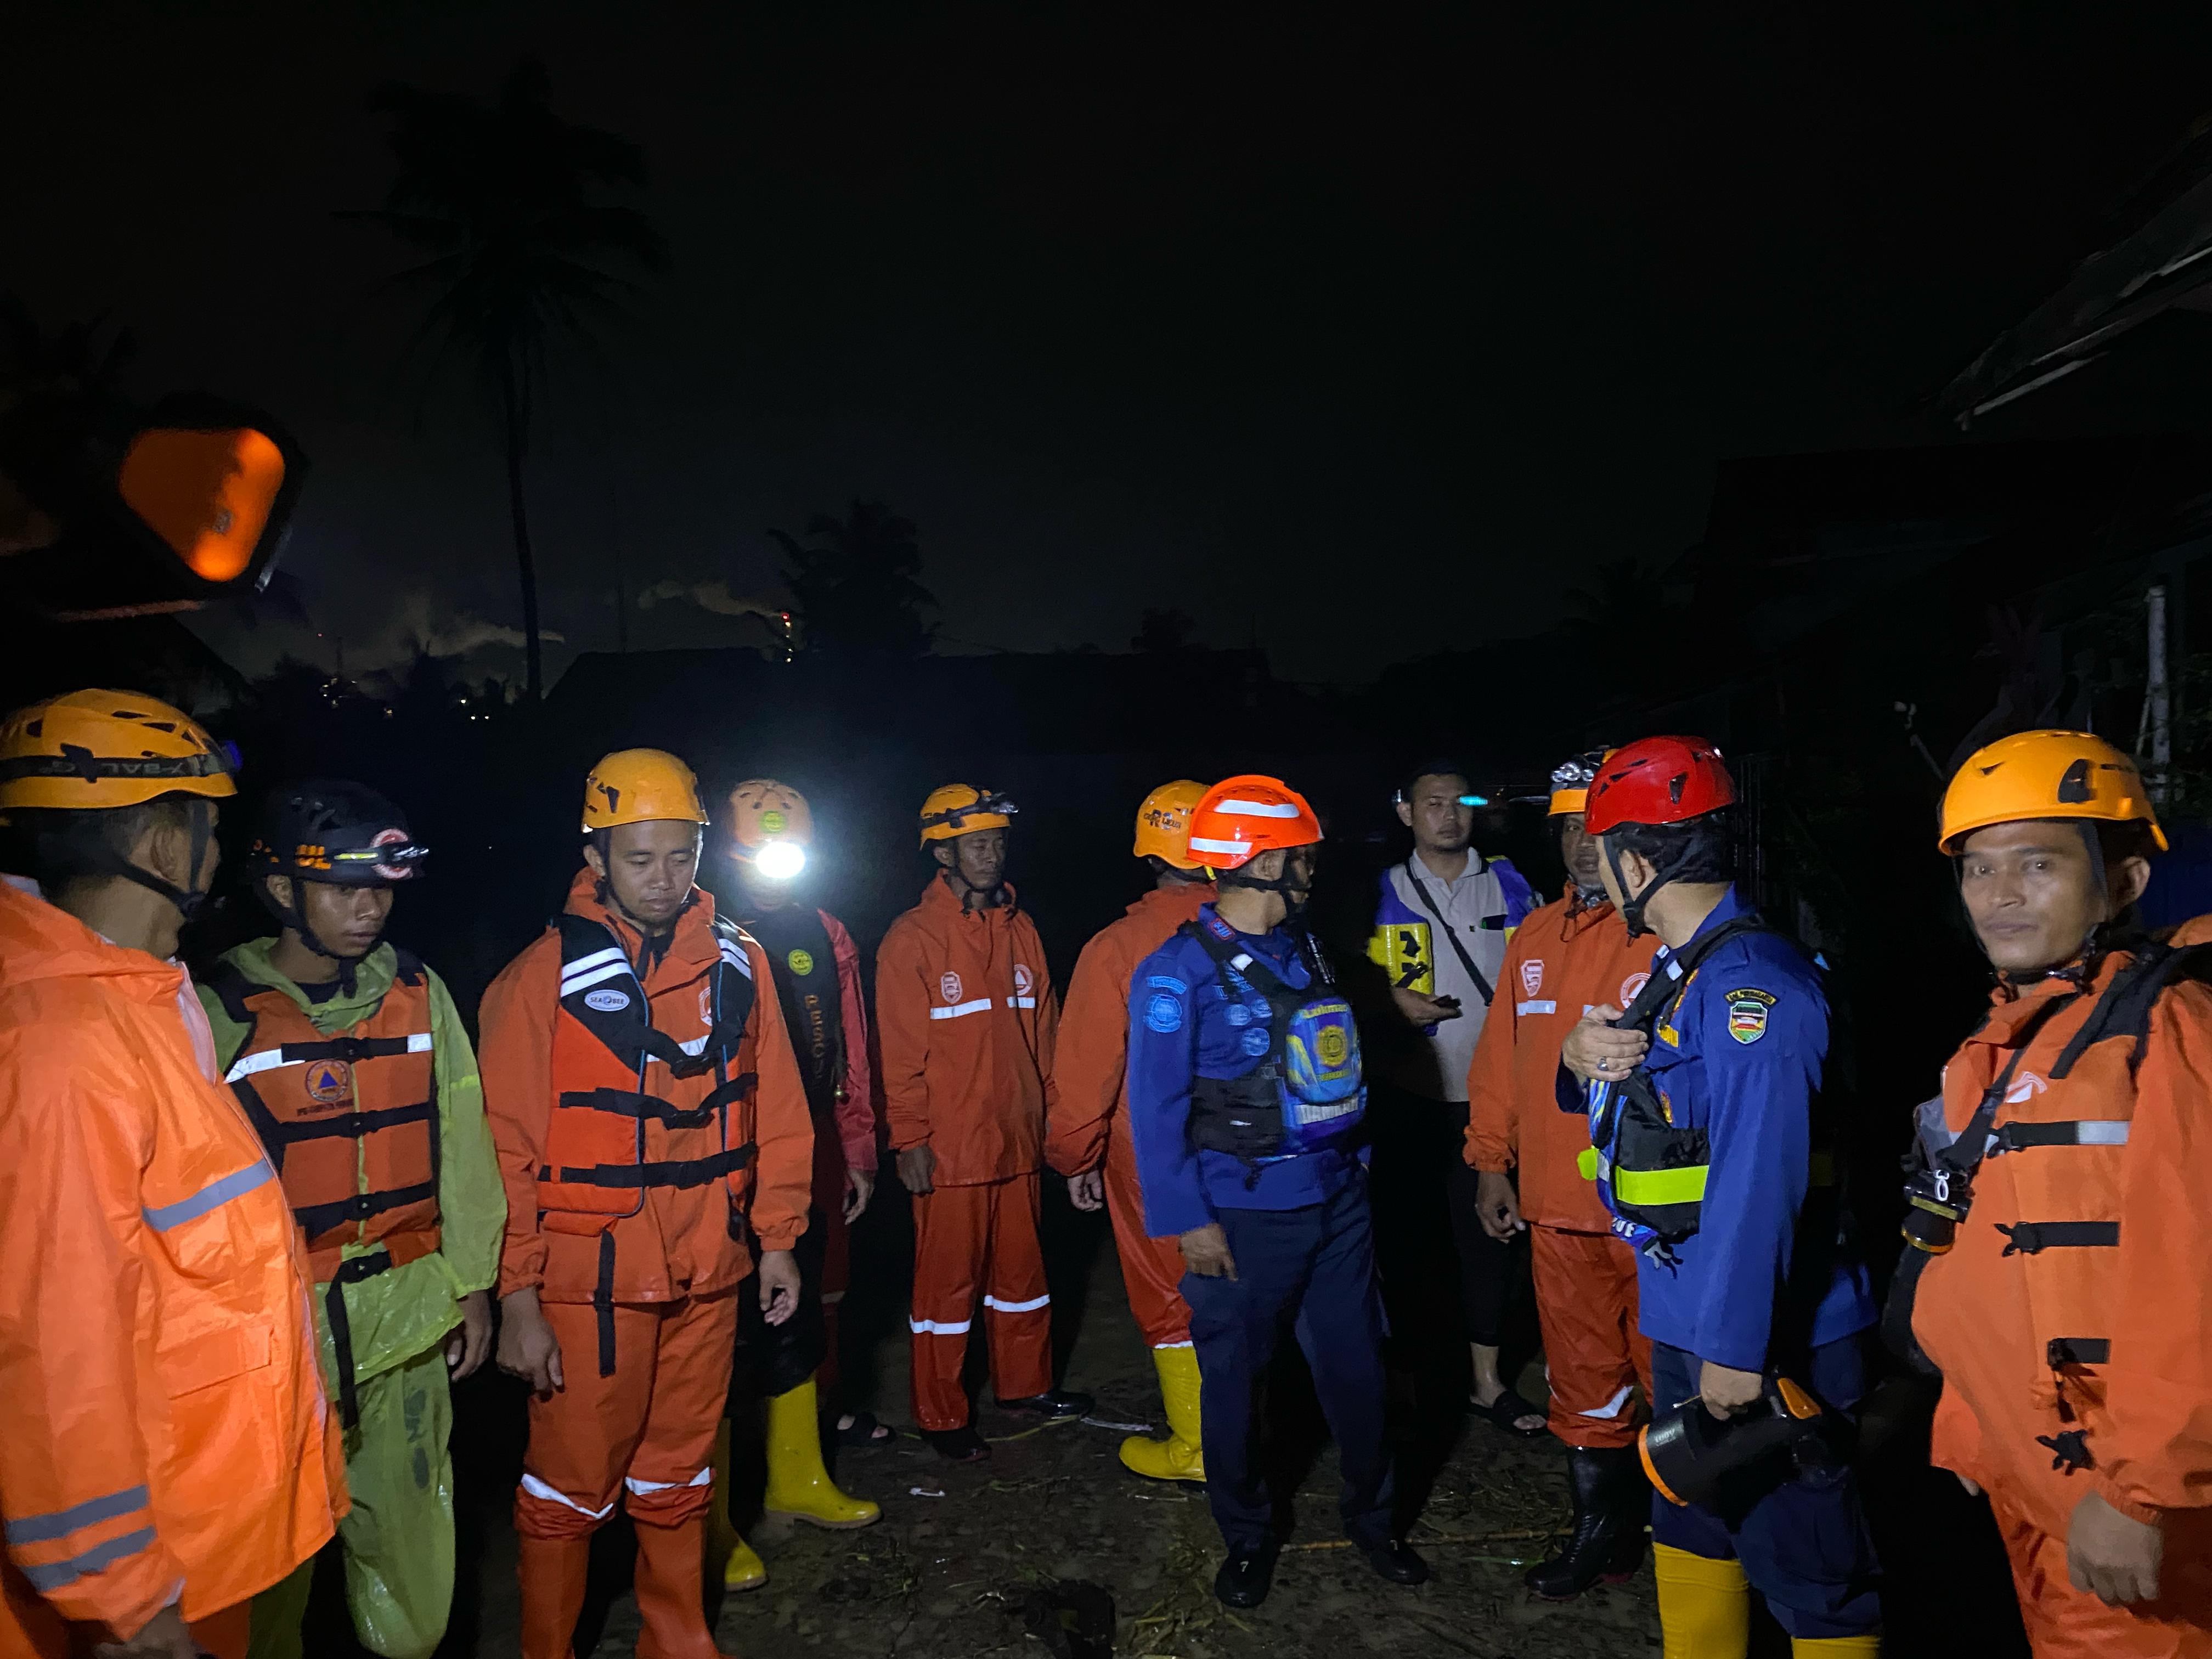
1563 961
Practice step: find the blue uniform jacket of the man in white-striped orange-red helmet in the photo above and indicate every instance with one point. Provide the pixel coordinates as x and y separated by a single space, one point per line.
1185 1025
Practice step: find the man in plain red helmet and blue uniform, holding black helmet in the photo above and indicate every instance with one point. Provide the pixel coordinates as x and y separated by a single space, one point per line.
1707 1145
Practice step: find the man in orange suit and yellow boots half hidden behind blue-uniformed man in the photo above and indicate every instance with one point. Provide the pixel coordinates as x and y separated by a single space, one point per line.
1087 1134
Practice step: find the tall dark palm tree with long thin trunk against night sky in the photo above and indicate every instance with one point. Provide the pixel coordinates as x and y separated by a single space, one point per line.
523 251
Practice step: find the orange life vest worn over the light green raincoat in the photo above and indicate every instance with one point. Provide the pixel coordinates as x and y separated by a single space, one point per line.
351 1120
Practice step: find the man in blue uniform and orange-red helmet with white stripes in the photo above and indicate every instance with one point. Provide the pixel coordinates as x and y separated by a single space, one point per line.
1244 1094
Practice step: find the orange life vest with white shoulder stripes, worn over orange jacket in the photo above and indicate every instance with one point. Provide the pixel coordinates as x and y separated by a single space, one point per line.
609 1061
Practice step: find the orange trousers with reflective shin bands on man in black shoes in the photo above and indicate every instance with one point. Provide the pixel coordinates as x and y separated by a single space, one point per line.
966 1240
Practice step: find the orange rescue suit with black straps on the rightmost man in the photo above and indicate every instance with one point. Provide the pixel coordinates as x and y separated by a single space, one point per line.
2083 1361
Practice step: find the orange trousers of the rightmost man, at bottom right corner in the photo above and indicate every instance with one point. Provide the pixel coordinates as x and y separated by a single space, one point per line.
2074 1625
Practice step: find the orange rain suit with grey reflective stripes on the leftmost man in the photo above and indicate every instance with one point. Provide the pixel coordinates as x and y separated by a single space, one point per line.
165 1423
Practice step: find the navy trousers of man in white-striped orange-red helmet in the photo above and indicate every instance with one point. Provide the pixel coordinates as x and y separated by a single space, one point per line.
1313 1269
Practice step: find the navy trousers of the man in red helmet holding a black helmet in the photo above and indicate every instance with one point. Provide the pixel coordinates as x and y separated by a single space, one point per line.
1804 1541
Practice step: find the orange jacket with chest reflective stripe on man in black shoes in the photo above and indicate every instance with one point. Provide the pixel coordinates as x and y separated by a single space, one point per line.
966 1021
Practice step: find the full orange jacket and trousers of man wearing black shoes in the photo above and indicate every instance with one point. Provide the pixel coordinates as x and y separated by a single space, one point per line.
966 1019
